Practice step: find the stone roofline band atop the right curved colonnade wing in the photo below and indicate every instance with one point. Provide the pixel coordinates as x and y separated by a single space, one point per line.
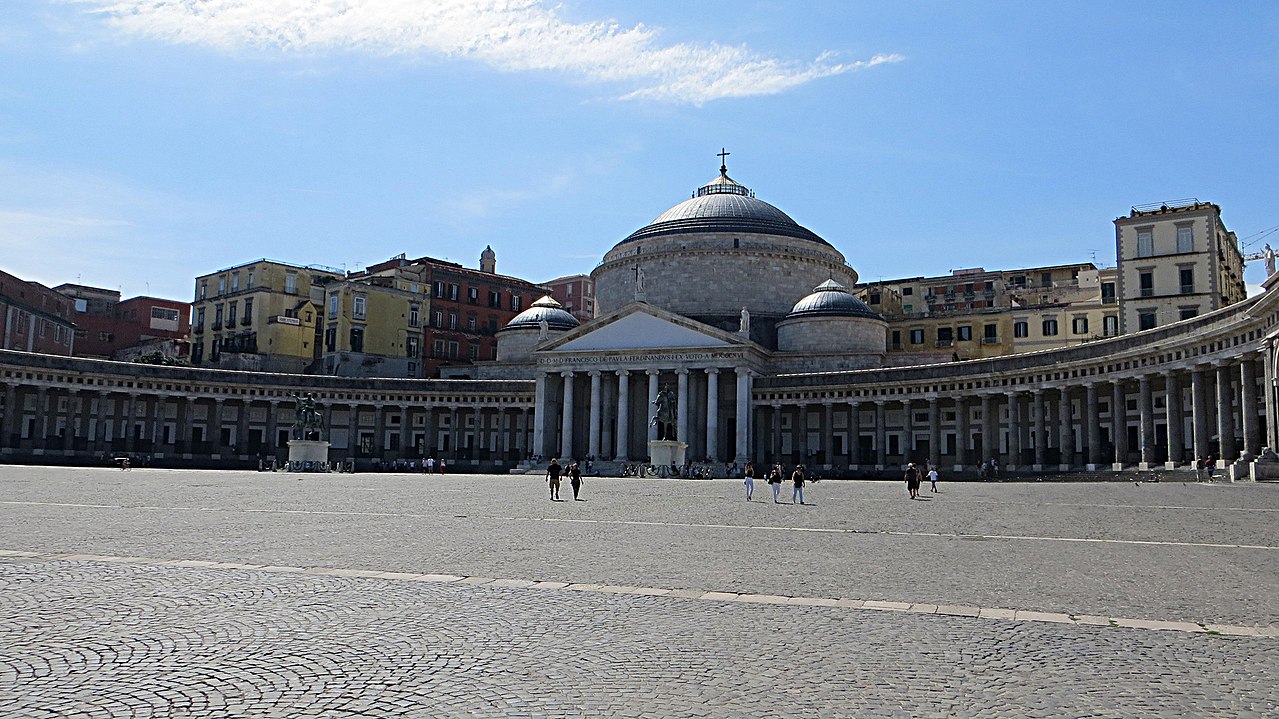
1221 336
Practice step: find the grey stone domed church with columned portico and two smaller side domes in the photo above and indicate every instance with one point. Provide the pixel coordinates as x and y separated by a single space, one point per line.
716 292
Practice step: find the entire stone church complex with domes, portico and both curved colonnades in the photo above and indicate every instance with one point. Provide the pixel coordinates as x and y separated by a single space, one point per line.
746 318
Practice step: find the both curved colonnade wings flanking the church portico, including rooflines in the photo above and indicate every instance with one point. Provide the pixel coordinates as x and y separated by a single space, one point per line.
1162 399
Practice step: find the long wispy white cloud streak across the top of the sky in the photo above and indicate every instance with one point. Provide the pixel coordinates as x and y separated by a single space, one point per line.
508 35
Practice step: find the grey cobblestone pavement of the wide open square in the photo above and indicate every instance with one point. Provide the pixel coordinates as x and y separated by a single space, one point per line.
131 639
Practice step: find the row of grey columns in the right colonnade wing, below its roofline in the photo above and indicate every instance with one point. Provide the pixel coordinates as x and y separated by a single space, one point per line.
1166 419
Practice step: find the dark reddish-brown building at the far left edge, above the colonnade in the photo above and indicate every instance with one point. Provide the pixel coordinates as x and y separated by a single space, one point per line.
34 318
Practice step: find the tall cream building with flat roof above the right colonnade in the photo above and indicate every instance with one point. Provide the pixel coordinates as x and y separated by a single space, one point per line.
1176 262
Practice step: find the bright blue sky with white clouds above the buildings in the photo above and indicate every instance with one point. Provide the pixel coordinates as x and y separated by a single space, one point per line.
145 143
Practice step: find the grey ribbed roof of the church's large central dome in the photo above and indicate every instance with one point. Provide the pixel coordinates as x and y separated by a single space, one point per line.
725 205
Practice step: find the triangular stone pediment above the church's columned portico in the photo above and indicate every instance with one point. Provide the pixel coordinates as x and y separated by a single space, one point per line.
643 328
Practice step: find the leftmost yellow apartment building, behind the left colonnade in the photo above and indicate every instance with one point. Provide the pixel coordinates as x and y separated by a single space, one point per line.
263 315
